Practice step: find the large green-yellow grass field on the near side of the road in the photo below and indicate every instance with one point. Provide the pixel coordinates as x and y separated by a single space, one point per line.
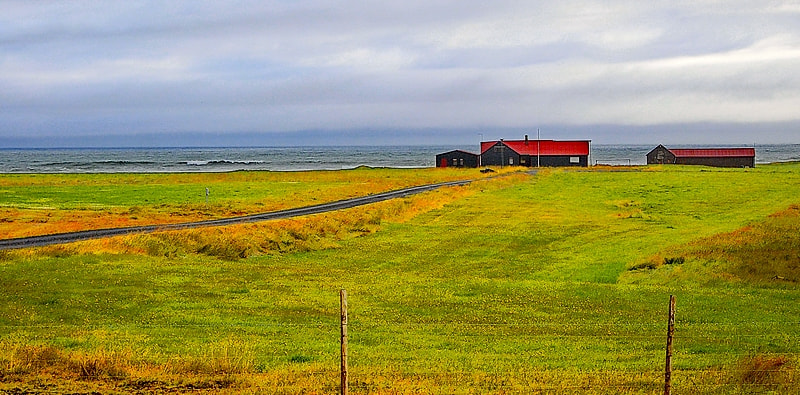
556 282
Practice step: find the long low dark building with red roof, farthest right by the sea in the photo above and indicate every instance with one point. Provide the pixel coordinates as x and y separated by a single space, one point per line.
717 157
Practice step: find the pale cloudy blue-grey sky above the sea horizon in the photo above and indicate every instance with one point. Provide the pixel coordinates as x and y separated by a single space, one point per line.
319 72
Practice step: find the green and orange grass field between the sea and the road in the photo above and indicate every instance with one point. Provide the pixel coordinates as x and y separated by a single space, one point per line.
232 194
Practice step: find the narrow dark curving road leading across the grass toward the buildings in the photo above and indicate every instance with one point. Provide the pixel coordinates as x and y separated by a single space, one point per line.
61 238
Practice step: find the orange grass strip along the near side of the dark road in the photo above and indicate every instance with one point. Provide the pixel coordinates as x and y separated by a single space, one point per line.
306 233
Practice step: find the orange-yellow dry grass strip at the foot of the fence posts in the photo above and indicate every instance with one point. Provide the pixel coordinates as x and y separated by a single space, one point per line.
123 372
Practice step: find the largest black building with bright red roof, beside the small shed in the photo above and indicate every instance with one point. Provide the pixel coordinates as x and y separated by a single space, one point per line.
534 153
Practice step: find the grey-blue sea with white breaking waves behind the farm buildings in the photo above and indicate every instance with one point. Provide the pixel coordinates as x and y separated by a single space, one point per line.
176 160
